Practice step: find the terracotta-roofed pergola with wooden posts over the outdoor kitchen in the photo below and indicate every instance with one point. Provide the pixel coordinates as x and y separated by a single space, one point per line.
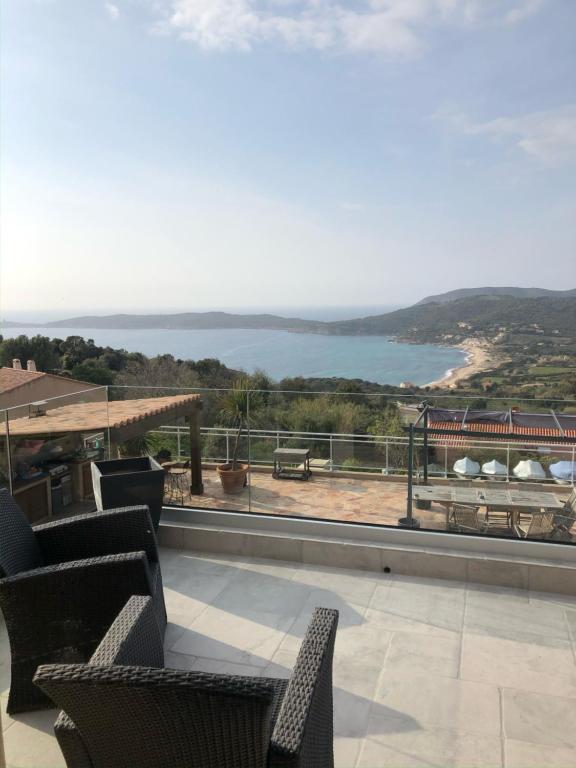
122 419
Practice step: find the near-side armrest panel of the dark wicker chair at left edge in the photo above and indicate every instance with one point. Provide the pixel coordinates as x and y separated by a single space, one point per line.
69 606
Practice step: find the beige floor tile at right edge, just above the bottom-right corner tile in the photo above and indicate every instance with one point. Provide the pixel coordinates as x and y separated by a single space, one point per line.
534 717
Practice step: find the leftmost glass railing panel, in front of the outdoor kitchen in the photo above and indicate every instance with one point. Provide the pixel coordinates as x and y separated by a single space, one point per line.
49 446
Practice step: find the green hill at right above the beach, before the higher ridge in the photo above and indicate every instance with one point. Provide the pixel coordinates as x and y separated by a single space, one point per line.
476 315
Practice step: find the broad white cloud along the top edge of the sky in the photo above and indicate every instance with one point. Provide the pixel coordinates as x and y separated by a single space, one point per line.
391 26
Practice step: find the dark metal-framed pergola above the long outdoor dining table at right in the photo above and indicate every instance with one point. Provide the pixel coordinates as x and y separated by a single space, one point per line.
510 425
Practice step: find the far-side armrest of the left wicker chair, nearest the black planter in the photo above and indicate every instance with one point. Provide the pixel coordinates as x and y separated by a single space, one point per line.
98 533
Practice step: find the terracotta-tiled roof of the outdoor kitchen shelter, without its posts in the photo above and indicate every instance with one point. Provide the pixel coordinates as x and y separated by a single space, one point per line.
124 418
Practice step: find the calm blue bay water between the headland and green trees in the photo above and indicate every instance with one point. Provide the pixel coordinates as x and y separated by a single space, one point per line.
280 353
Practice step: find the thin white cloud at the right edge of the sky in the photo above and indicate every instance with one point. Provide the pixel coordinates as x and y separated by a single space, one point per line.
548 136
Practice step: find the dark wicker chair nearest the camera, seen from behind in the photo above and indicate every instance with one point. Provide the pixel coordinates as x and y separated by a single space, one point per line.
119 715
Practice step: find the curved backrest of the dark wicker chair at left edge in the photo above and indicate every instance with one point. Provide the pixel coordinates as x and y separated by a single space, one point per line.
19 550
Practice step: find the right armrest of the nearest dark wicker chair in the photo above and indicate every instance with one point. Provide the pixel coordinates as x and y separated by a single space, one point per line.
303 733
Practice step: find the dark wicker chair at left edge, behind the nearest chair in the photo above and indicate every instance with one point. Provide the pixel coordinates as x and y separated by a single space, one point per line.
62 584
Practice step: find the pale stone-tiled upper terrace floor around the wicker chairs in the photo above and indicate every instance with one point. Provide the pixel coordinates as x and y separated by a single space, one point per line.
427 672
